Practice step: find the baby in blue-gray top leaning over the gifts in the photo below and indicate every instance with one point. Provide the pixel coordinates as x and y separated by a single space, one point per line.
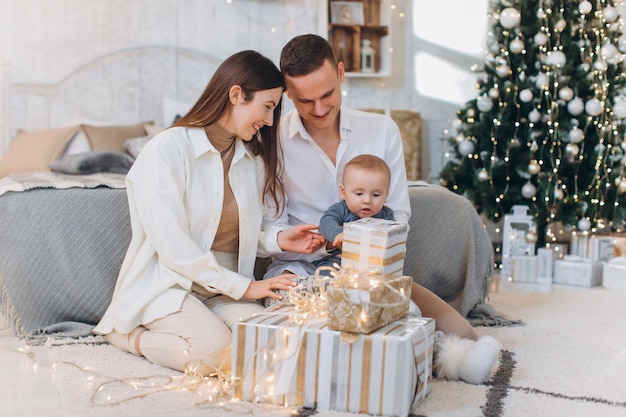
363 191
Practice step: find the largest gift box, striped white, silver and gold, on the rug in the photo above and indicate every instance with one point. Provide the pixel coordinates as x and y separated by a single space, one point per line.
282 358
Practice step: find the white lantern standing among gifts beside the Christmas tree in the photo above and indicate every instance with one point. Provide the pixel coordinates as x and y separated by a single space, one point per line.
518 237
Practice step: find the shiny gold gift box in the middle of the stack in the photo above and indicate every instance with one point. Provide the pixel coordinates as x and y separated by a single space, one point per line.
362 303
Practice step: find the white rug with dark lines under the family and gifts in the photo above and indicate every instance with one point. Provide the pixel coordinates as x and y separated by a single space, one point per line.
569 359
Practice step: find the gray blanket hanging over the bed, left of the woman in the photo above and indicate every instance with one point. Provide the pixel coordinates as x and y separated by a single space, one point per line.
60 253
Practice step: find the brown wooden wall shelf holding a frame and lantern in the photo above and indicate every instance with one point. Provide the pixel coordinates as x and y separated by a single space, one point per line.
346 32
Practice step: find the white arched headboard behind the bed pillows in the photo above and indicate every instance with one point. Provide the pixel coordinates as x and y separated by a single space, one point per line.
122 86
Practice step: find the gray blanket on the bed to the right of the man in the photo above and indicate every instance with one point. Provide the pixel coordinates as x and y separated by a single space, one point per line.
448 248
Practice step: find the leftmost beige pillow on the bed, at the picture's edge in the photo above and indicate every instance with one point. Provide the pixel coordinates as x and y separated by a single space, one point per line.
33 151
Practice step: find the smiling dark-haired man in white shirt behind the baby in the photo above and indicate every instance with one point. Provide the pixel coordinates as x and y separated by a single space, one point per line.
320 136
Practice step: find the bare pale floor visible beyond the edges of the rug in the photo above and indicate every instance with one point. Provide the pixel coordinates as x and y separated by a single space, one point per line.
31 391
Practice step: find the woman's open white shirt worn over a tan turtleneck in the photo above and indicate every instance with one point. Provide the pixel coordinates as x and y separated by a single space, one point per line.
175 192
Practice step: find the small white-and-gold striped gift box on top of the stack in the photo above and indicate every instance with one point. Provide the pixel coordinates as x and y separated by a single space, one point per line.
374 243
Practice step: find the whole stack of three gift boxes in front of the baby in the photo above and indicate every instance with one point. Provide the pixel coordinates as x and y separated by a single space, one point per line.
351 346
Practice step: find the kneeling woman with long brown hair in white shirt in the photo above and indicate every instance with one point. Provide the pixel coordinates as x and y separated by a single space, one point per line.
196 195
